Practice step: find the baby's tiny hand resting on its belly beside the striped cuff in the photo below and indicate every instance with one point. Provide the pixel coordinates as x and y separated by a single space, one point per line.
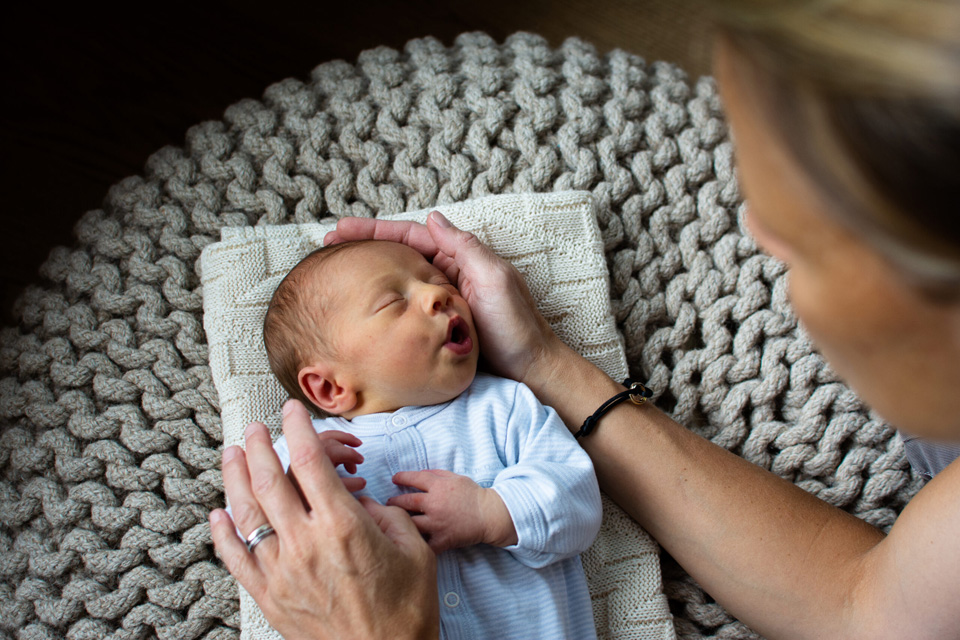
453 511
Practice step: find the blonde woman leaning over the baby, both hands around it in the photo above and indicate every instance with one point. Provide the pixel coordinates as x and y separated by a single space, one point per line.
847 120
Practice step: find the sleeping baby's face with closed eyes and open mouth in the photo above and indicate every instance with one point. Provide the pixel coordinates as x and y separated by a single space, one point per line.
401 330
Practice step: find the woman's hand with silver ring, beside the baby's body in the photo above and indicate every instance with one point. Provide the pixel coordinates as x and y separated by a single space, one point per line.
336 567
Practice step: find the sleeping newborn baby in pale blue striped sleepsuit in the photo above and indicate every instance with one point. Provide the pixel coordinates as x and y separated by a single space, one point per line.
374 336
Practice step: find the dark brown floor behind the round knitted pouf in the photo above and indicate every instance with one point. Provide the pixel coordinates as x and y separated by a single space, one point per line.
92 90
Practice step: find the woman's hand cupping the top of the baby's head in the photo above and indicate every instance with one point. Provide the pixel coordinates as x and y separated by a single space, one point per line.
514 337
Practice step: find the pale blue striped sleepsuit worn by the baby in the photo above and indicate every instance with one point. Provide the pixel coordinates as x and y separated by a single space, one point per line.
498 434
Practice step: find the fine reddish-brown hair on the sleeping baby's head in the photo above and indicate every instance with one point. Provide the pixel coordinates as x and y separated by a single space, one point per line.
293 327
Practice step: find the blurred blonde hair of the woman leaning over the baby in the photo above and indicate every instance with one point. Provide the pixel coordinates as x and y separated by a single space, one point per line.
866 96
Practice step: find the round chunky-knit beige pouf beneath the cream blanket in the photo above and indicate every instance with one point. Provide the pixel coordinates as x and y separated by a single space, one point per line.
109 453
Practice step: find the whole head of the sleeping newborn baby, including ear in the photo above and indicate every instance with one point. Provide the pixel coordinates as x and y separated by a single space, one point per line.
367 327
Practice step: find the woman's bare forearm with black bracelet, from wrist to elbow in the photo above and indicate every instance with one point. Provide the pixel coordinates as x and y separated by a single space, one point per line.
778 558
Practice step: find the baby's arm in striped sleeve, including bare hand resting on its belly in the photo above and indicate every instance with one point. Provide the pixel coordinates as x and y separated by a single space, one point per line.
544 507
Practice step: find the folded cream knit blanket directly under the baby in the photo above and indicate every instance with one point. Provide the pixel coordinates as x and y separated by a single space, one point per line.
553 239
